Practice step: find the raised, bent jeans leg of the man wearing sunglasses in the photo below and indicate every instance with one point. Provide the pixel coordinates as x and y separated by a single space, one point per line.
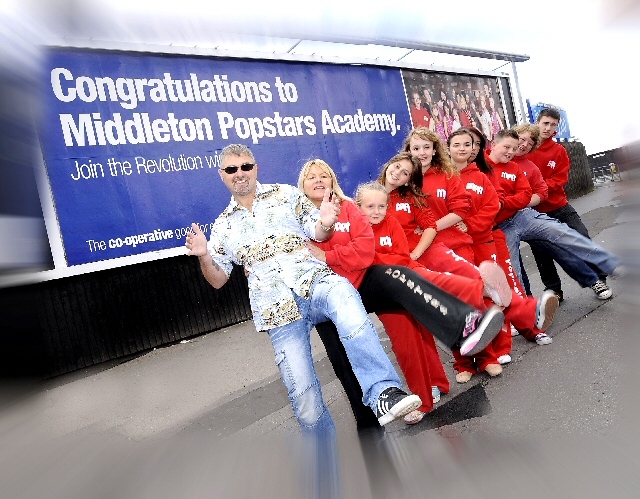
335 299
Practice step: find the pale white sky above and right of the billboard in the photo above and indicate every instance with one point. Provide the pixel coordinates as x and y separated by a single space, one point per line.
582 53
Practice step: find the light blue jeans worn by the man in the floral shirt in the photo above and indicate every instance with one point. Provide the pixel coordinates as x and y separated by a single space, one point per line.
332 298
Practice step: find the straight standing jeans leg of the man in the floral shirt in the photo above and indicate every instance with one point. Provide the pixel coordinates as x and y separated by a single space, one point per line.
292 346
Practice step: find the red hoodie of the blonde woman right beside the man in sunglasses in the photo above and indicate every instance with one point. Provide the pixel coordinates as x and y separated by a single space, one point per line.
350 250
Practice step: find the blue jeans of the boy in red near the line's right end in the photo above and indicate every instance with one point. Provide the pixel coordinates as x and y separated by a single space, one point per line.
568 247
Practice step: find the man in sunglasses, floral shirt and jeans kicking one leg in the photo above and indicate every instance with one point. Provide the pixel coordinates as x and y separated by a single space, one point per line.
264 229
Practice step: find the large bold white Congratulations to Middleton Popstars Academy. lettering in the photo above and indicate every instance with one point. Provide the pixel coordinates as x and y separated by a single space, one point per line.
128 127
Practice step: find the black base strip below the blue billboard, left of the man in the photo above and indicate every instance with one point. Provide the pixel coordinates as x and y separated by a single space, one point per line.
60 326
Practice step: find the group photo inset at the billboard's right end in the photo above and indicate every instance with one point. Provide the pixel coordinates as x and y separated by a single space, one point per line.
445 102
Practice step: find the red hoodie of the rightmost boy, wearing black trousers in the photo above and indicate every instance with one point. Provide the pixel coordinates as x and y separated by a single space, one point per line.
554 164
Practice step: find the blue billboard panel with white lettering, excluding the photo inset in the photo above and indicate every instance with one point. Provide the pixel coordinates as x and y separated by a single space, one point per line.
130 141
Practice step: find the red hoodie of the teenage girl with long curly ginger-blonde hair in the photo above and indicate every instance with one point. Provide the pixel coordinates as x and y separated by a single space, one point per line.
447 195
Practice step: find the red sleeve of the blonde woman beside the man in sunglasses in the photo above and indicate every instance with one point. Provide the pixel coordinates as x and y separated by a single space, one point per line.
358 253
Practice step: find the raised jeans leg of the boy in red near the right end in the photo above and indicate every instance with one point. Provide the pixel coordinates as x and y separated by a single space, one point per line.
541 226
